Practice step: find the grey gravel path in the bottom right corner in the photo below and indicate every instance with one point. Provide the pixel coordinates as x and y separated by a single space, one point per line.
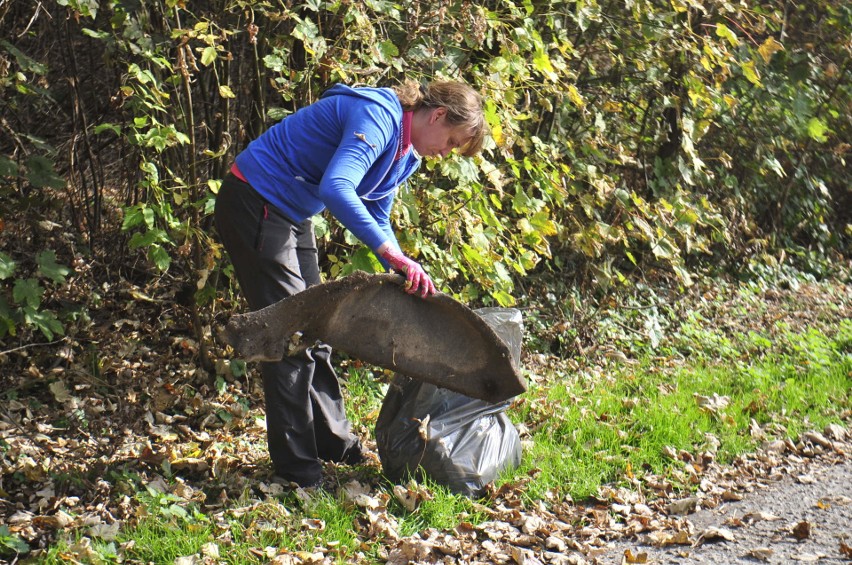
806 518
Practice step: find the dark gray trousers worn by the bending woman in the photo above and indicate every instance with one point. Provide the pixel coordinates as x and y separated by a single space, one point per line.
274 258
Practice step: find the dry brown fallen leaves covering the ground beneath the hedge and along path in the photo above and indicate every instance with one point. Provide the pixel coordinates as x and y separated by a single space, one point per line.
126 408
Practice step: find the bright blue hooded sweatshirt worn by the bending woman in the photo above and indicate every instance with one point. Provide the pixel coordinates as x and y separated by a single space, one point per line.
337 153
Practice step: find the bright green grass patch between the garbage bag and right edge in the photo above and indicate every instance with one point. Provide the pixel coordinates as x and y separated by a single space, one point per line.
601 426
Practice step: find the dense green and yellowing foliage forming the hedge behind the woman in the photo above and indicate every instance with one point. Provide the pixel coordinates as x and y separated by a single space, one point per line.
629 139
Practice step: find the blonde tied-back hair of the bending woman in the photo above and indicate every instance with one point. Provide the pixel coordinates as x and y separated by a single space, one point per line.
463 104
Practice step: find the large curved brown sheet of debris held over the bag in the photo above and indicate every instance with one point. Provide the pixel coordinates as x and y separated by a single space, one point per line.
438 339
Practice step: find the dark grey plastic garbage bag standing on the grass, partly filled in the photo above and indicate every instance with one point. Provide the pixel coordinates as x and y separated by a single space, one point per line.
457 441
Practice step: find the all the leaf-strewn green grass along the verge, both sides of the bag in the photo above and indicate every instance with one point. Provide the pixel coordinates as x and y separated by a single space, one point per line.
598 426
